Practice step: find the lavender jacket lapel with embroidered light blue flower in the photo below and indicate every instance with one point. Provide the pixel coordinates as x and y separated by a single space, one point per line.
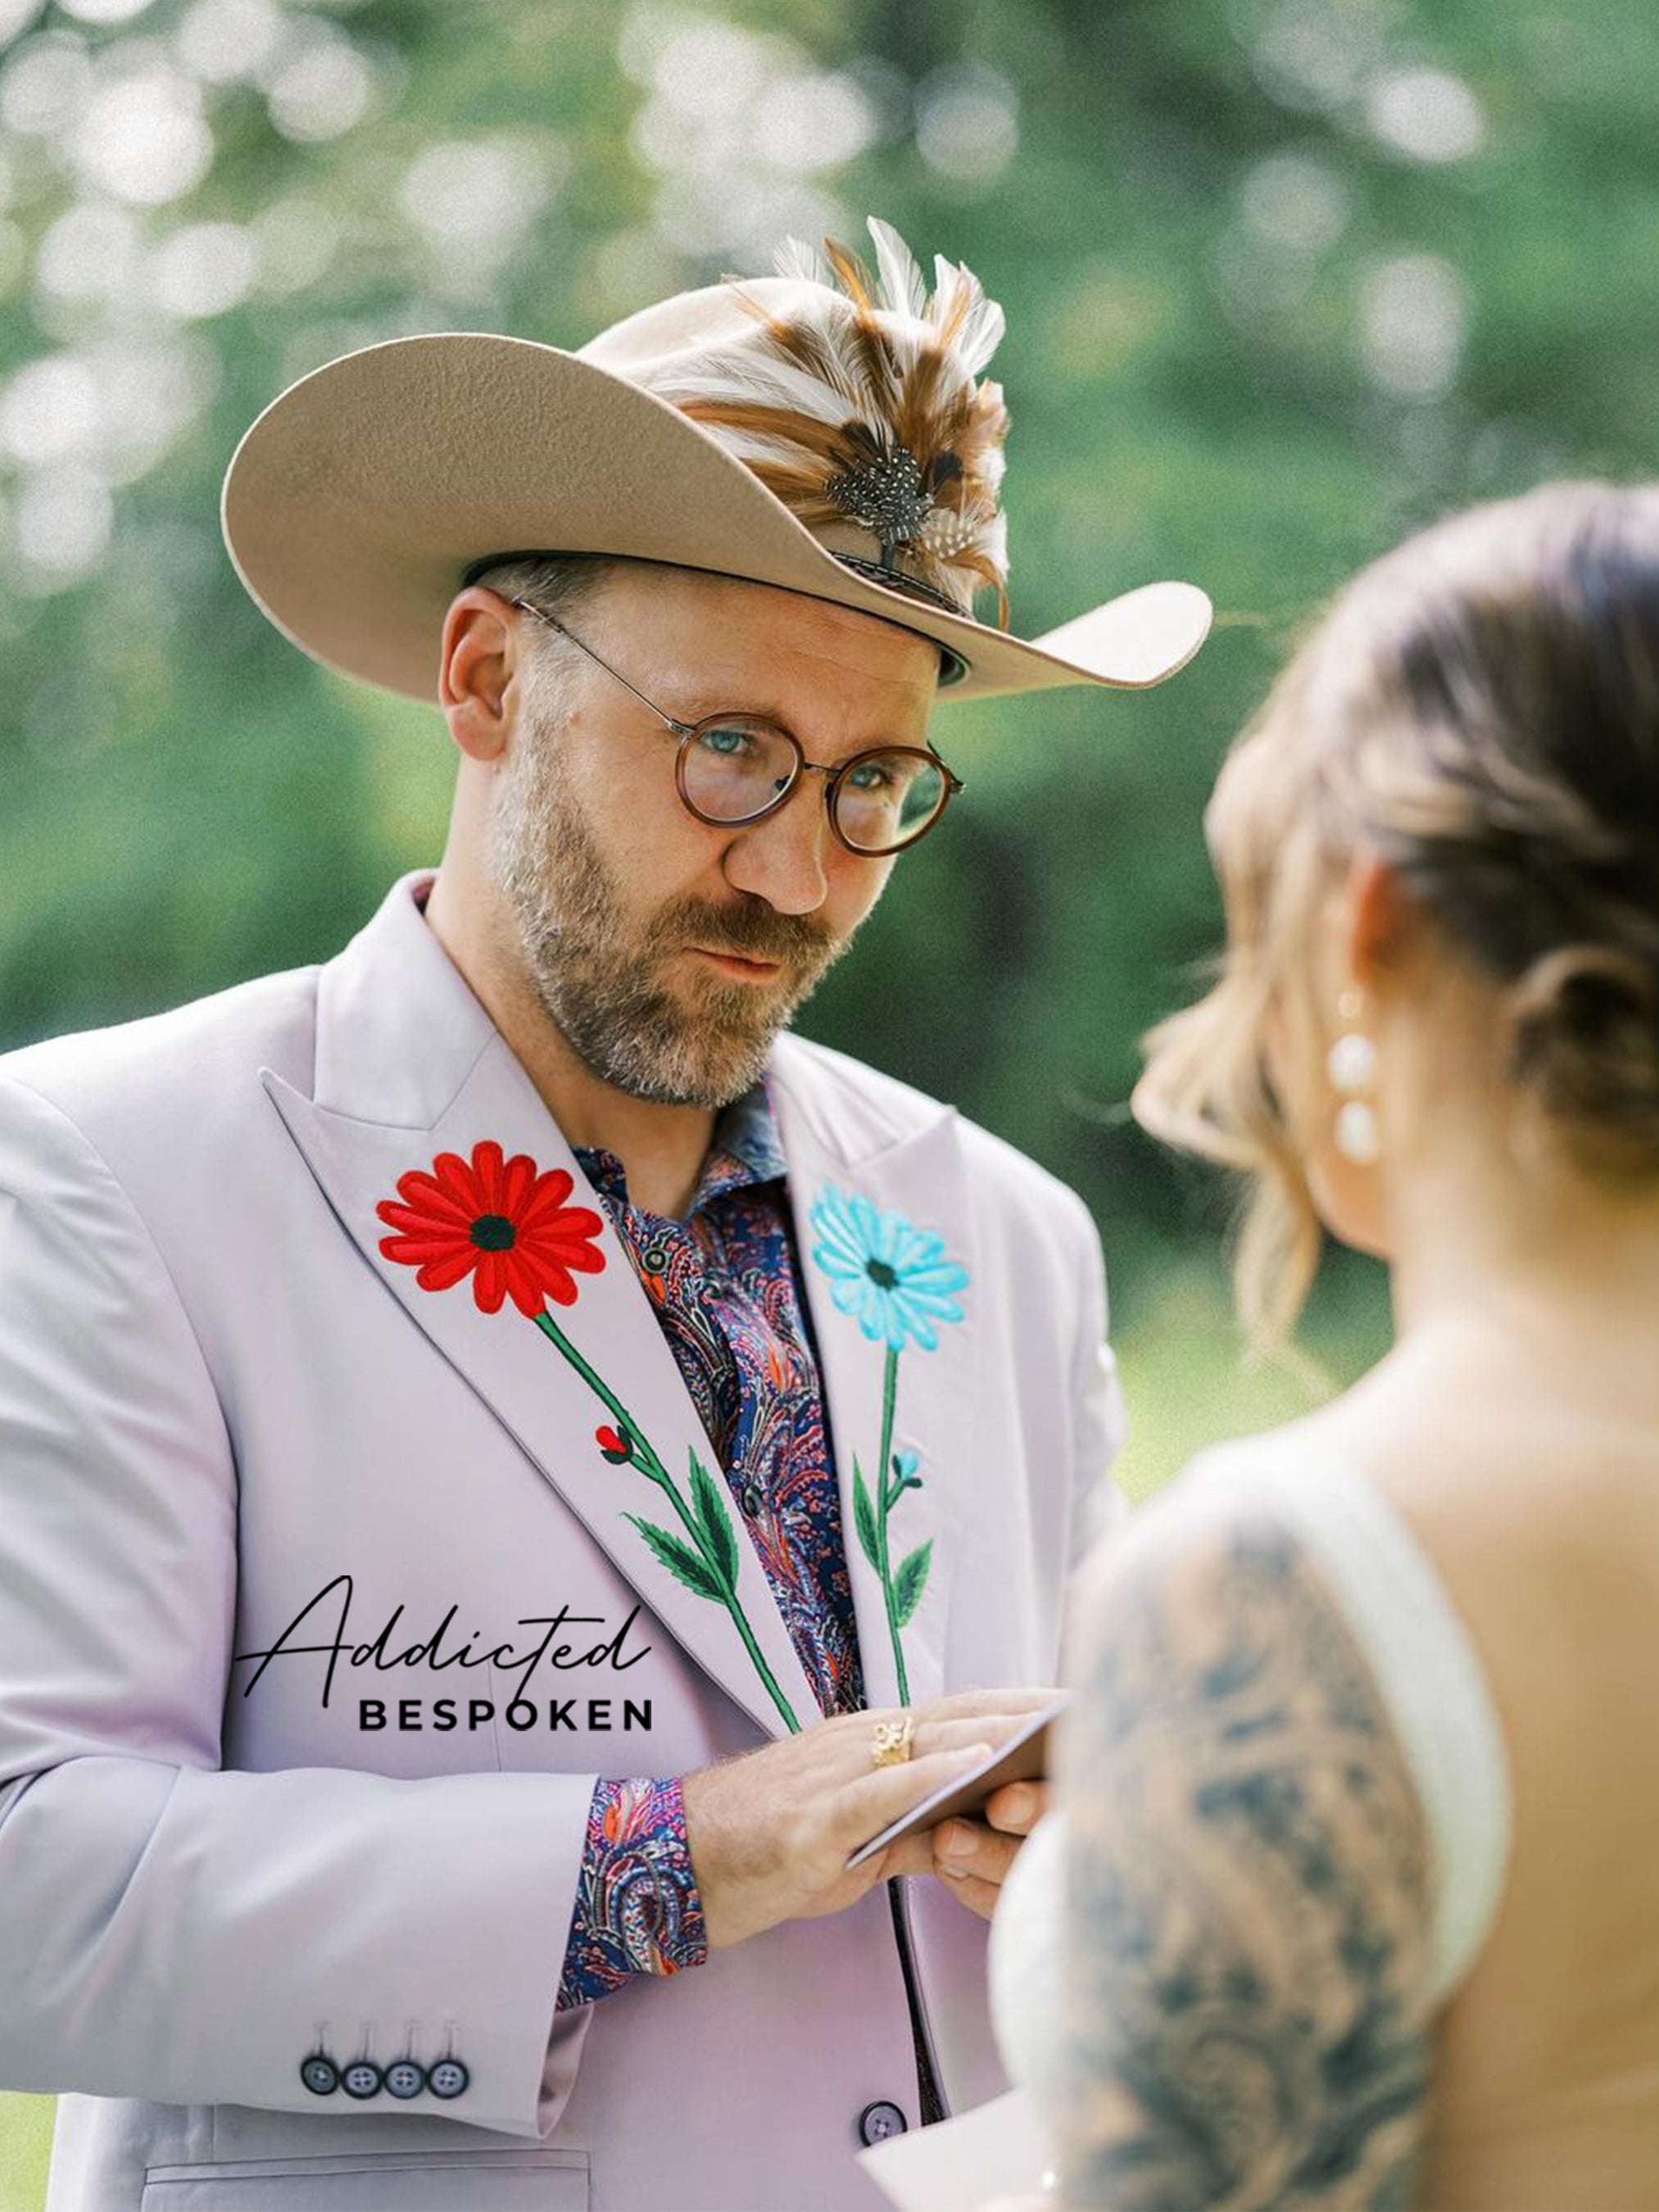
862 1196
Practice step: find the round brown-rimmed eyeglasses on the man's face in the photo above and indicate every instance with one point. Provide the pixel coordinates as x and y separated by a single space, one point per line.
738 769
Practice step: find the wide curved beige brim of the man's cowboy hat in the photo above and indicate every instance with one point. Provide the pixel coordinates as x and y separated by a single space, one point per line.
359 497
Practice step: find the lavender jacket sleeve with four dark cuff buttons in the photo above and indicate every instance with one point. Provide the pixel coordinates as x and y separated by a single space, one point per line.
174 1930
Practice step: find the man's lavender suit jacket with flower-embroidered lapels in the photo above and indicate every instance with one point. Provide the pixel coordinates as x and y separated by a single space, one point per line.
218 1397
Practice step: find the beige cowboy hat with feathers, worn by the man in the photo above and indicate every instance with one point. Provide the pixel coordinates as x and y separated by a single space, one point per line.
822 430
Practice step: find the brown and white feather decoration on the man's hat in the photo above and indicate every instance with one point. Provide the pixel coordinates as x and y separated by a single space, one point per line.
859 404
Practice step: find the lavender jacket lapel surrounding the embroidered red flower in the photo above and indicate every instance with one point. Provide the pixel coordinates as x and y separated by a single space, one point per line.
399 1030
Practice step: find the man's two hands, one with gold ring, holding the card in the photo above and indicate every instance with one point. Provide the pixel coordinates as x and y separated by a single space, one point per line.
771 1833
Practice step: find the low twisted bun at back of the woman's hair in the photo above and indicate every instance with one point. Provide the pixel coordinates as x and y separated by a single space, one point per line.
1585 1041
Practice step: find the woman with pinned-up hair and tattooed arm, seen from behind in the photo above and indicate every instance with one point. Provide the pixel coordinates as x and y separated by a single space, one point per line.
1353 1897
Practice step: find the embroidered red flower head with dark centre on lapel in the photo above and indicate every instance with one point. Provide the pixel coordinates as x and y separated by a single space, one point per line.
499 1222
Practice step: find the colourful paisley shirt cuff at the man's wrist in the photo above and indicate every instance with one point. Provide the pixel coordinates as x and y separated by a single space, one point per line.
636 1901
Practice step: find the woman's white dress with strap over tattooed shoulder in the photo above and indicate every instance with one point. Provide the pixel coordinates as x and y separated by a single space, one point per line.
1434 1689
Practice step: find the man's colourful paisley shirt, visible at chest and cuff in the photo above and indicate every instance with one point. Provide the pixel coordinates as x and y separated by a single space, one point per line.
729 1297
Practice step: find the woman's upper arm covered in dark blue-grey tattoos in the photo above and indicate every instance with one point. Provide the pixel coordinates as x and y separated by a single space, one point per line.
1246 1892
